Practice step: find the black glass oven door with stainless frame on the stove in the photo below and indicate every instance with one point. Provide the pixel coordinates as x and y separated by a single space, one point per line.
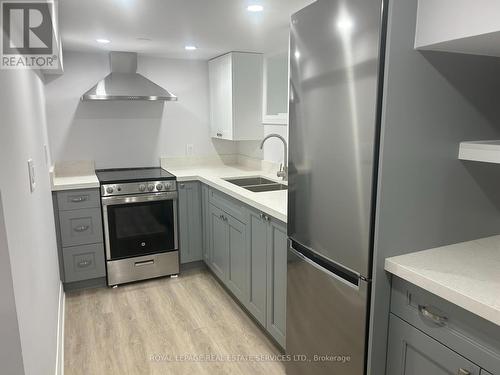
140 225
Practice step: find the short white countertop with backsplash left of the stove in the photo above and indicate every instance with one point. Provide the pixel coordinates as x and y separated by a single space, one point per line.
73 175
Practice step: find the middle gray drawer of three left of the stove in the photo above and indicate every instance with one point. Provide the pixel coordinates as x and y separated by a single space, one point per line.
80 227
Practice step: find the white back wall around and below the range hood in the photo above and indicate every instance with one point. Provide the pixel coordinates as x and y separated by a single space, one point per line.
124 134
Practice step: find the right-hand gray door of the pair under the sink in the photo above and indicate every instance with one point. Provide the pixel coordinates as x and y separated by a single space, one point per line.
237 280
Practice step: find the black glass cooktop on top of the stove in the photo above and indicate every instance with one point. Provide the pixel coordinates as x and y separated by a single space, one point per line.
124 175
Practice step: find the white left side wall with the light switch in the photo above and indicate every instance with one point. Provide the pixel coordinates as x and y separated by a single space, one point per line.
29 220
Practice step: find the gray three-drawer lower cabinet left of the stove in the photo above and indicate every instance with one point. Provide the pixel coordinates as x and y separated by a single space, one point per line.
80 238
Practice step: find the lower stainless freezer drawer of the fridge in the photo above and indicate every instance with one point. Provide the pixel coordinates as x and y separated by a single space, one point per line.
326 320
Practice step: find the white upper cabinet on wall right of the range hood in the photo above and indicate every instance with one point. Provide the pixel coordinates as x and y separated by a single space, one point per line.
235 81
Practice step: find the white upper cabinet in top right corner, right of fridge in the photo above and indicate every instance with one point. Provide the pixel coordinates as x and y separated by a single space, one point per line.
463 26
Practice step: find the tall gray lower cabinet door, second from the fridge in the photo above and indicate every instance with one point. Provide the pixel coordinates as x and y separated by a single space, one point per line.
257 269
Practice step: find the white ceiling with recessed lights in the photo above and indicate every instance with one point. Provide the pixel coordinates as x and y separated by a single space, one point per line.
214 26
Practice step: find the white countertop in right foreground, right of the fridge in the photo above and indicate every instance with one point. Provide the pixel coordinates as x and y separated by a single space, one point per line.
466 274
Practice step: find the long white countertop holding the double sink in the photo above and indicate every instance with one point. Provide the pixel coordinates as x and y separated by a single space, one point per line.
273 203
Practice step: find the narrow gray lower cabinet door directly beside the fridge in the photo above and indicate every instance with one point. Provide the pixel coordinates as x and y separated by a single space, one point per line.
276 281
